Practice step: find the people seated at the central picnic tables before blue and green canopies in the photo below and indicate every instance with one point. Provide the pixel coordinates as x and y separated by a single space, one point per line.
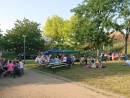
49 59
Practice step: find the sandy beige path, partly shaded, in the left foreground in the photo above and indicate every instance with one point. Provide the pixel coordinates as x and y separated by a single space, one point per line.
37 85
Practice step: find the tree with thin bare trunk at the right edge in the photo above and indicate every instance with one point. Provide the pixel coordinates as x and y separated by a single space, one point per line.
124 25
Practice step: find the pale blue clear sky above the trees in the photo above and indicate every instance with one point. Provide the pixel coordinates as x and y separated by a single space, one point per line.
34 10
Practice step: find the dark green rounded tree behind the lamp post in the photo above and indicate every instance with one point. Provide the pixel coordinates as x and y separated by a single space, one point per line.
14 38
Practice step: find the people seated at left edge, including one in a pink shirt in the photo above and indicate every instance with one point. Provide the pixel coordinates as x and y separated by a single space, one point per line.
15 67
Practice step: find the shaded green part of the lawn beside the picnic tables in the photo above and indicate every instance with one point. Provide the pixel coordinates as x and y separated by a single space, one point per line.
78 73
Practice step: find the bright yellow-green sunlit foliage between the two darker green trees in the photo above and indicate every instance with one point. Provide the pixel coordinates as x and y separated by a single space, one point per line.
58 29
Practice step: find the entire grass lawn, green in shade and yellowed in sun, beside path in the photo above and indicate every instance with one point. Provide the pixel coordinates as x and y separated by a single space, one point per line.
114 78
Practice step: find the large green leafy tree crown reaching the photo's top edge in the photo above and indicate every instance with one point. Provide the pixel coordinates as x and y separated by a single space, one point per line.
95 19
